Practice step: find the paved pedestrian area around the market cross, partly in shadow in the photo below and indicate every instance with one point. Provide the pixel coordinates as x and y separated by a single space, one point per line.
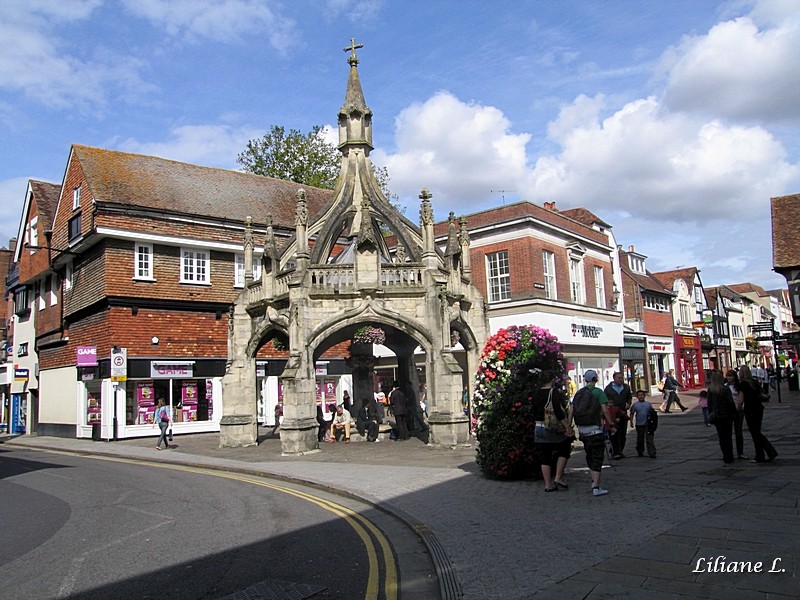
682 525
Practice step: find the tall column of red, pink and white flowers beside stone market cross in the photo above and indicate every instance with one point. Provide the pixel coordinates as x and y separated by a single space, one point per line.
507 374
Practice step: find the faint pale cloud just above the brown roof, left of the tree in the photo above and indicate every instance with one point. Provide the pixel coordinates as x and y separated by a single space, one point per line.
208 145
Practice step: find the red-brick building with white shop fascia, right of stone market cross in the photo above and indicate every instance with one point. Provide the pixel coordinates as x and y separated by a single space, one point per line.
541 266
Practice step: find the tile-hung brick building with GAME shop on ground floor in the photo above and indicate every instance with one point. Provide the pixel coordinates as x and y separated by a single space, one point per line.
142 256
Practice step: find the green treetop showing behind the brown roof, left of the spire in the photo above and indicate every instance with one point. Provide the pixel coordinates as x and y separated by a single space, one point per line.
306 159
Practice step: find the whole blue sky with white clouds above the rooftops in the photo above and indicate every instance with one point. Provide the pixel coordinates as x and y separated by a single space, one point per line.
673 121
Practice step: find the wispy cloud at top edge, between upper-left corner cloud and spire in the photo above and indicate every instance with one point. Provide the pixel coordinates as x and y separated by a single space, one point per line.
222 21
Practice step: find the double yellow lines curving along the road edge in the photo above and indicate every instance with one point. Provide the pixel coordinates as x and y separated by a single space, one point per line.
364 528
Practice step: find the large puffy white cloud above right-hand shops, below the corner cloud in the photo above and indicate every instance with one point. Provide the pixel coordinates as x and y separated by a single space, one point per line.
644 160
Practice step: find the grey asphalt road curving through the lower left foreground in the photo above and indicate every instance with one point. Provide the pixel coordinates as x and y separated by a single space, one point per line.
106 528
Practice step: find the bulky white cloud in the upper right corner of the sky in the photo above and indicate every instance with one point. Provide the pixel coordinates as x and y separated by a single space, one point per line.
739 70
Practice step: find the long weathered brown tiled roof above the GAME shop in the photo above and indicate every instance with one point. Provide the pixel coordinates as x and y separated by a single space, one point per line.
153 183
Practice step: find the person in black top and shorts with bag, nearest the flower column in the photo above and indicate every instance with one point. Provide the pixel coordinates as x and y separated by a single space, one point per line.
553 434
